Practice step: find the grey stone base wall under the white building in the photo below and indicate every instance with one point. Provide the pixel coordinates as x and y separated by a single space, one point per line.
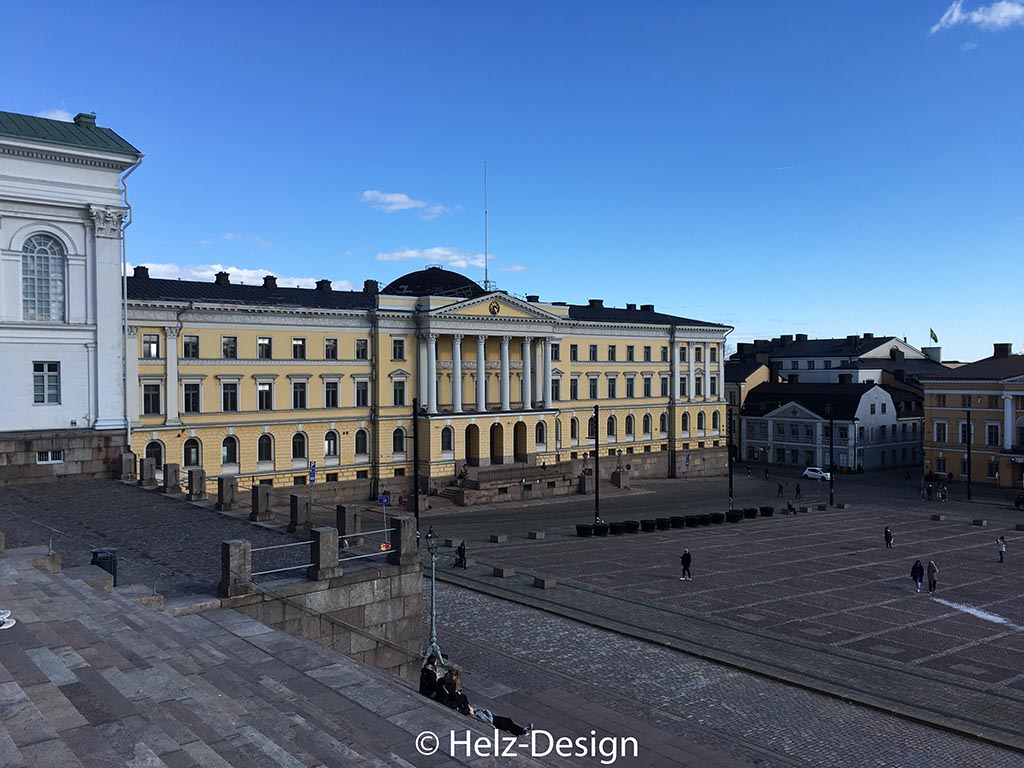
88 454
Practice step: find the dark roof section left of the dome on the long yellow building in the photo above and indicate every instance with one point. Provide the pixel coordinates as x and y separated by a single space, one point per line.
152 289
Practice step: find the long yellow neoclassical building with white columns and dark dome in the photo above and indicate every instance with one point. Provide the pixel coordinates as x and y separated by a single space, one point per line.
268 383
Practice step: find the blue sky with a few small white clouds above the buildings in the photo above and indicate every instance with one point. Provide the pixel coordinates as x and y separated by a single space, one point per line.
798 167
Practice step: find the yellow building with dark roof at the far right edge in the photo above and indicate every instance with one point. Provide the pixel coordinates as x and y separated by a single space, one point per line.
974 421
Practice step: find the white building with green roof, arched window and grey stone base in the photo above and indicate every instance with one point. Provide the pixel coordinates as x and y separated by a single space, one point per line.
61 296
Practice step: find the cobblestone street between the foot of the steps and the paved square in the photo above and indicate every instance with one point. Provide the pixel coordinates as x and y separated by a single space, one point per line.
536 666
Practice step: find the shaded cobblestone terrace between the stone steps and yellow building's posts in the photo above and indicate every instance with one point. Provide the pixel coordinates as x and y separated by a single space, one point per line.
160 539
